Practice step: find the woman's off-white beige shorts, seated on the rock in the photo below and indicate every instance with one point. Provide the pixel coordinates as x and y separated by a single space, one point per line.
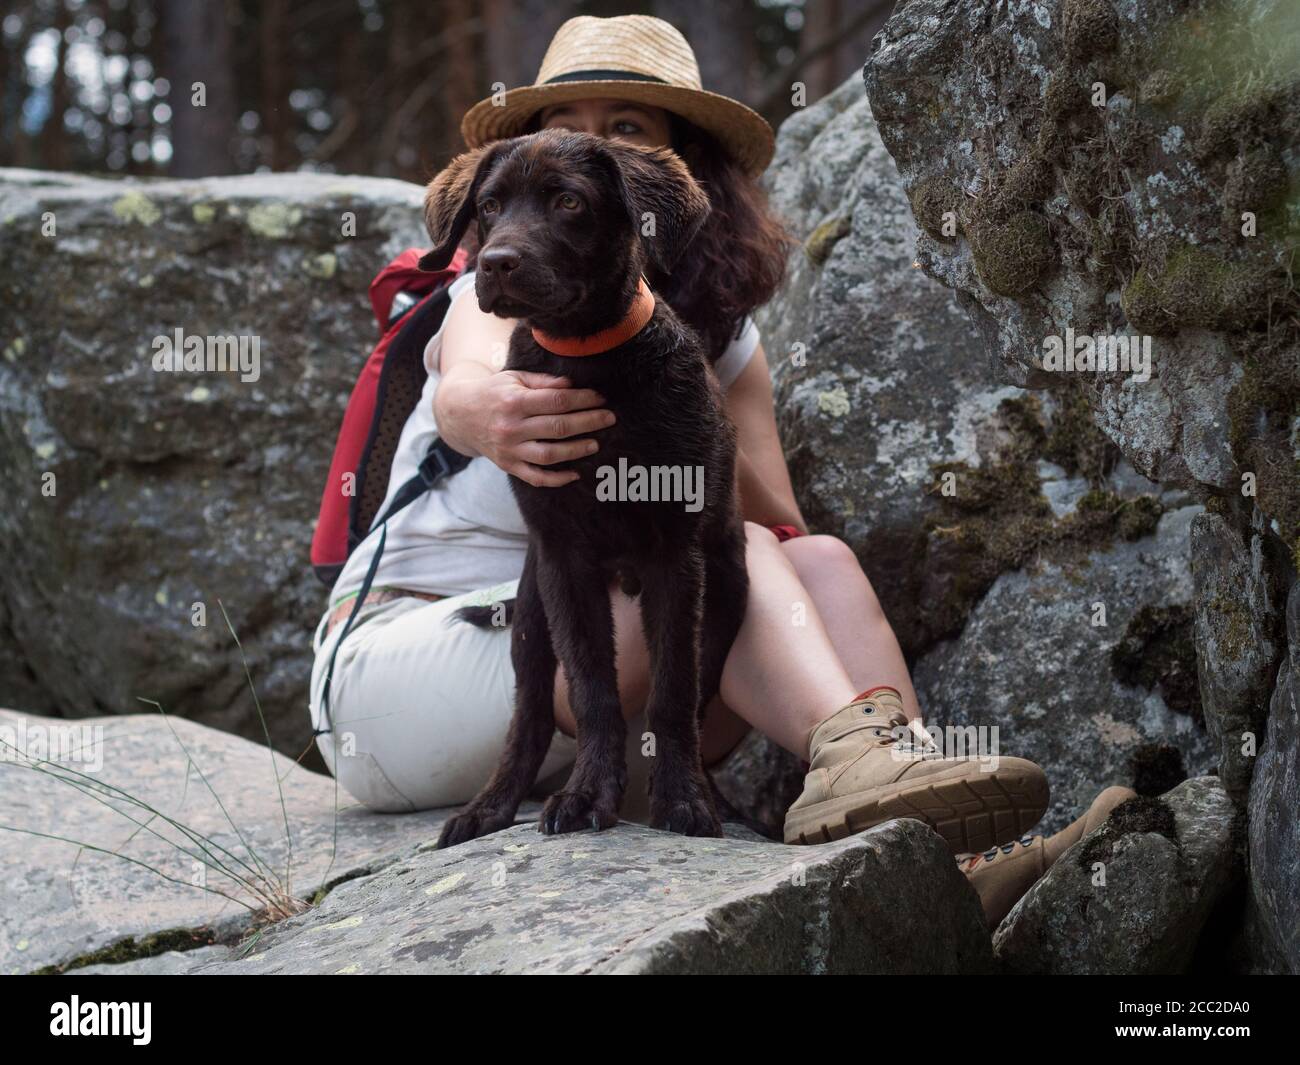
421 704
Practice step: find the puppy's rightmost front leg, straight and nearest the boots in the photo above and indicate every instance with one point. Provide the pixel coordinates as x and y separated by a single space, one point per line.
671 605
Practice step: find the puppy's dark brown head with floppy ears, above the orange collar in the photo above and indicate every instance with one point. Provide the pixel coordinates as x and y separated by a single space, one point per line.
564 219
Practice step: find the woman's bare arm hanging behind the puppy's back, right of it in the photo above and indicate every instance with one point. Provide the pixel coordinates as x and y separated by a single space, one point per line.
766 493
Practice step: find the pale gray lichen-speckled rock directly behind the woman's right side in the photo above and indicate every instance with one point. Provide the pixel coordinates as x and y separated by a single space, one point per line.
874 365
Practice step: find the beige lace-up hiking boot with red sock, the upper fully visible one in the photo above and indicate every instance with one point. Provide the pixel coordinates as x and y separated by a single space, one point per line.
864 772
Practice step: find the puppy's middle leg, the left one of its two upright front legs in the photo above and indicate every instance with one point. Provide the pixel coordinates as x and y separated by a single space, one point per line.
582 622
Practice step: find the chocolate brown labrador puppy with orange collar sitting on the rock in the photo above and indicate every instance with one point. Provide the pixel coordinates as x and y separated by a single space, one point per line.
569 224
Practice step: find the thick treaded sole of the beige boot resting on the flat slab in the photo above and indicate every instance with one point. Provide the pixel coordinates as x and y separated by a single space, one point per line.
972 815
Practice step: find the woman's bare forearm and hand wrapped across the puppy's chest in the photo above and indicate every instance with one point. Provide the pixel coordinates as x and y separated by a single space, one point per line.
523 422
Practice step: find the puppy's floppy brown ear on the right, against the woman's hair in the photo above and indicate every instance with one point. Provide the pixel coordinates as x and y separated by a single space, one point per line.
666 205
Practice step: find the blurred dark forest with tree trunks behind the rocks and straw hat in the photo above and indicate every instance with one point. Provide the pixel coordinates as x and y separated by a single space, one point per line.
349 86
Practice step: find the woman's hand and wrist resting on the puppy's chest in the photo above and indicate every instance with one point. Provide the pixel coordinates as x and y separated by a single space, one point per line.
523 422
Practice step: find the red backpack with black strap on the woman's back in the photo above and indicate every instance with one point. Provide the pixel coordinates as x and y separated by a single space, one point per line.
410 306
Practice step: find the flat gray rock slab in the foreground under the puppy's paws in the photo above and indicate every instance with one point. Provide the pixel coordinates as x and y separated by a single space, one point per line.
636 901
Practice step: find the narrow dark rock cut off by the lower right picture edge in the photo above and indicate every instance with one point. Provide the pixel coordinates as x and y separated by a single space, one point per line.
1276 811
